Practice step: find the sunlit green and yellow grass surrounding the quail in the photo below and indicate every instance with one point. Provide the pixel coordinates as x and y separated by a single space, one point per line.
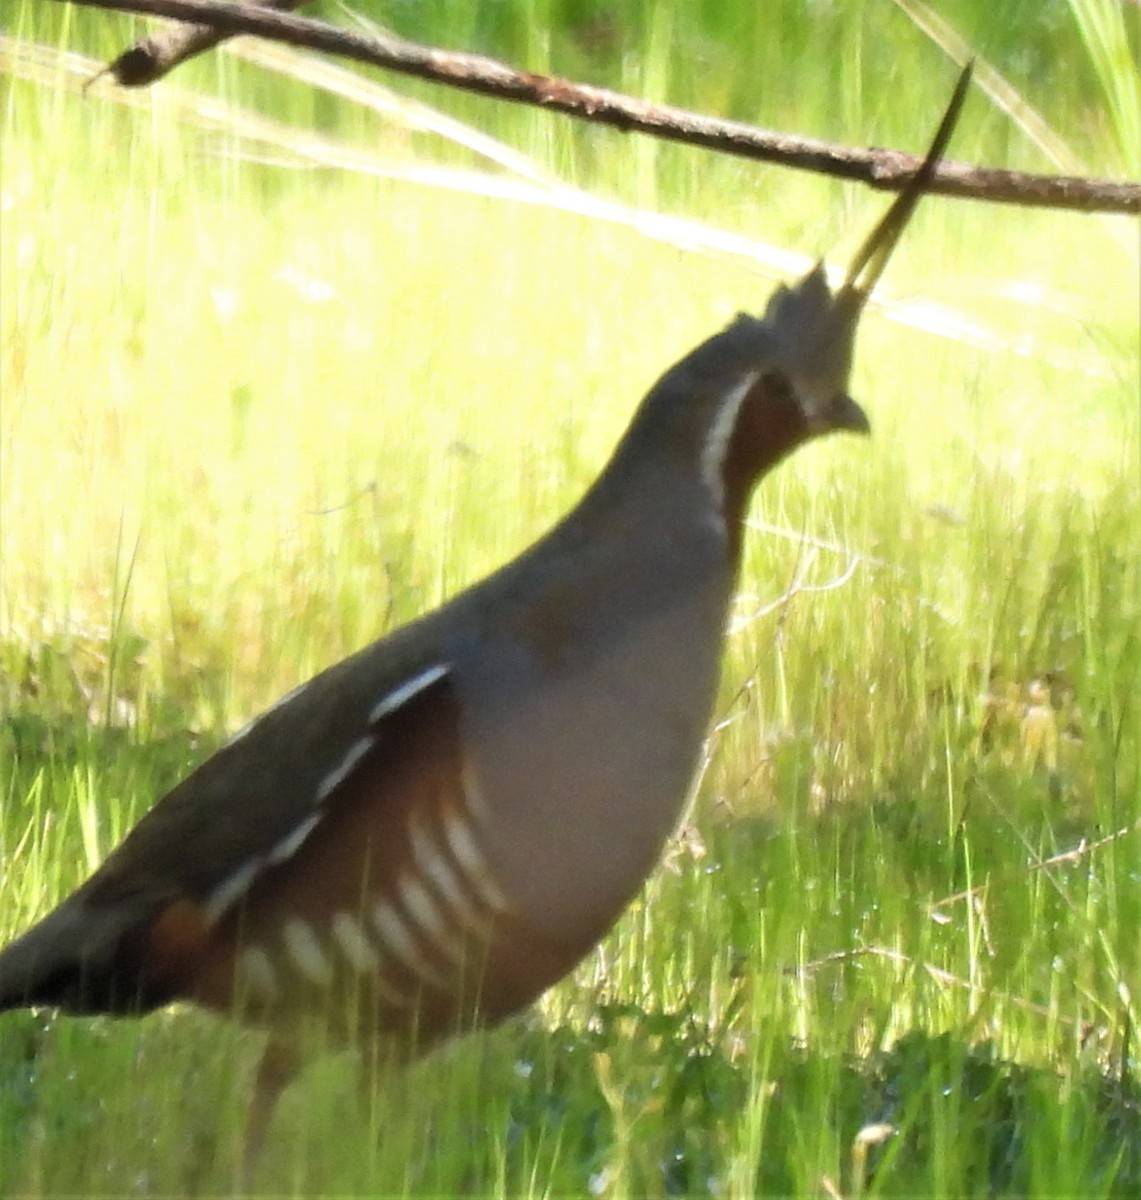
253 418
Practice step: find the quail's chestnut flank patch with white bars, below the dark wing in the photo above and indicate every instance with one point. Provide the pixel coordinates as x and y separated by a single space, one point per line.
383 885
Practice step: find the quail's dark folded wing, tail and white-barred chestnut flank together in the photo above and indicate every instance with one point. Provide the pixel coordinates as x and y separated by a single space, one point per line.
379 874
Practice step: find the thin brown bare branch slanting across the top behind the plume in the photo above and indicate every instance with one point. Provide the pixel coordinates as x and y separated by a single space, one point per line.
887 170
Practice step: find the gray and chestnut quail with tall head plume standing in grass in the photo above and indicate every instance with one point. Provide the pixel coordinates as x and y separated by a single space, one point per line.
429 835
